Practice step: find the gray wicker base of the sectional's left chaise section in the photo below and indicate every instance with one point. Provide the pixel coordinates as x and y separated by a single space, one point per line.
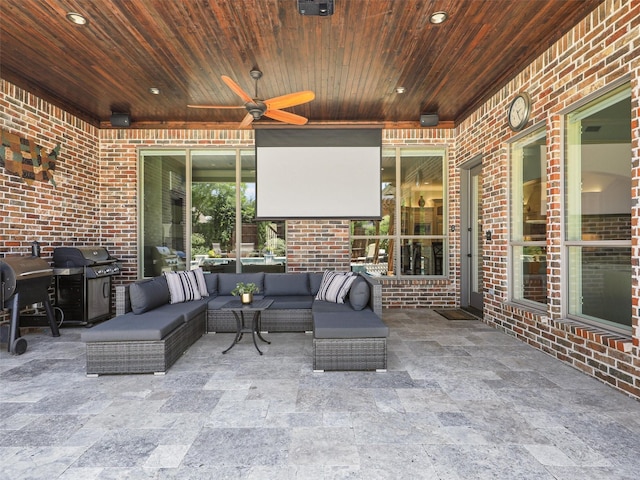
144 356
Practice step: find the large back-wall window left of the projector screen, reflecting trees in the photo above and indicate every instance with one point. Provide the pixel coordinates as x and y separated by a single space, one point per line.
218 187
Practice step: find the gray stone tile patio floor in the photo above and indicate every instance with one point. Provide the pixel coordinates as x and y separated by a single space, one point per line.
460 400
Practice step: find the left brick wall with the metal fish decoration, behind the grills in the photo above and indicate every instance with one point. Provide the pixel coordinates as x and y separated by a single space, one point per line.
67 213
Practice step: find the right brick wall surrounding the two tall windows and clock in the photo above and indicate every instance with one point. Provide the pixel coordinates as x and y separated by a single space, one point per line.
601 50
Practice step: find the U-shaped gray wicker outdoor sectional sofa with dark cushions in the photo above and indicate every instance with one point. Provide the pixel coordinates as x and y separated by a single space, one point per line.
149 333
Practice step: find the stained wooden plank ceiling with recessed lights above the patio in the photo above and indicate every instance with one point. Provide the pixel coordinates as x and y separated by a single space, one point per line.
353 60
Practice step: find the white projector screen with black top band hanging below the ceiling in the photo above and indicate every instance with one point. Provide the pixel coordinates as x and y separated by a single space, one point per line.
318 173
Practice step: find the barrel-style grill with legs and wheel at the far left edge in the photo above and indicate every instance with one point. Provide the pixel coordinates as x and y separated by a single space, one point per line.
24 281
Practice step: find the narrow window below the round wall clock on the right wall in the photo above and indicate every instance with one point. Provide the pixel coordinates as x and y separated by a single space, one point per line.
529 219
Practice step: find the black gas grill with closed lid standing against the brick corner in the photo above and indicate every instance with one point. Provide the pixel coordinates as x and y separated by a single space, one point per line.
83 283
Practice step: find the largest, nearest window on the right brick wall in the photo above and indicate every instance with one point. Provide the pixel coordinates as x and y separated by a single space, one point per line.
598 211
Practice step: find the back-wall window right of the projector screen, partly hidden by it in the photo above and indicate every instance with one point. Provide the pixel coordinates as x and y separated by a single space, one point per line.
410 239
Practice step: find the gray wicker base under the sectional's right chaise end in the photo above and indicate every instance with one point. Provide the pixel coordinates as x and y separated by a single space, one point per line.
349 354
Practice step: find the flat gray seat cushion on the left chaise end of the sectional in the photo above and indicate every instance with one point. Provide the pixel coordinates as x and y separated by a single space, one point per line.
154 325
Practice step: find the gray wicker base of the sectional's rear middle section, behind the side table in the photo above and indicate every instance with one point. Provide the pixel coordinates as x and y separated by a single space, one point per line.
294 320
